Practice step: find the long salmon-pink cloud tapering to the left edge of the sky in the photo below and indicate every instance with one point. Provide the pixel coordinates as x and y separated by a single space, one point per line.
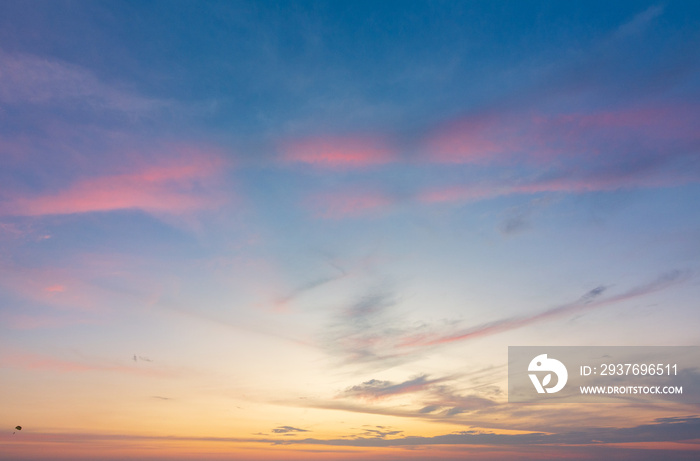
174 186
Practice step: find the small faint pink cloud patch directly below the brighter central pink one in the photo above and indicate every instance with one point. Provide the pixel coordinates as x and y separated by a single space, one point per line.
348 204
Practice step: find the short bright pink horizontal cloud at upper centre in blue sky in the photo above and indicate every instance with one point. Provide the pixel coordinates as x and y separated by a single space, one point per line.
338 152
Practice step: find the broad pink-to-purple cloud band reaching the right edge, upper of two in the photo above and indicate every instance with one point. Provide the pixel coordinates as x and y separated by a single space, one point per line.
530 137
